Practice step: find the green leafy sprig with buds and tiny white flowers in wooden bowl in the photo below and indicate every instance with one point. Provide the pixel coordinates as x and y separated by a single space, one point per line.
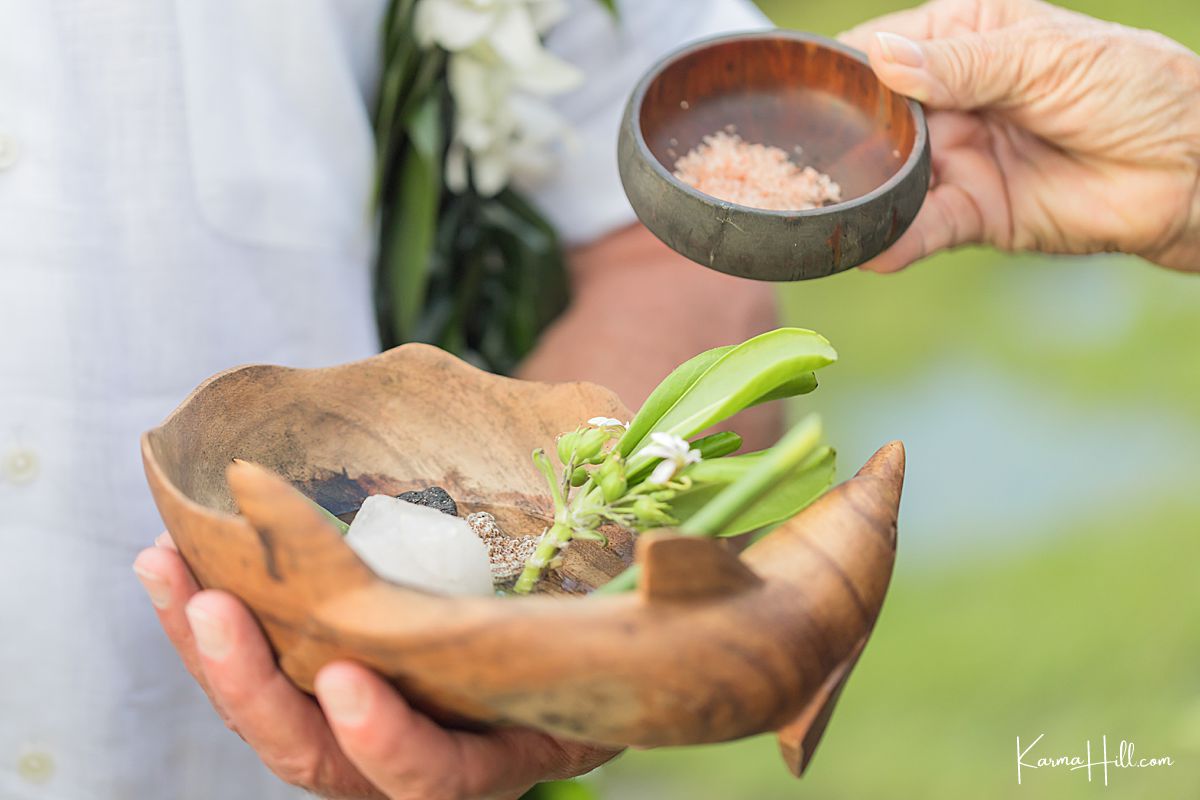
656 472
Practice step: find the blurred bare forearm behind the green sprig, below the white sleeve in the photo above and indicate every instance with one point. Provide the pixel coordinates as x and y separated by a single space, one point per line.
639 311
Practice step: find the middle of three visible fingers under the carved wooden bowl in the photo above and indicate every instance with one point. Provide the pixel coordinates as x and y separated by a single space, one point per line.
285 726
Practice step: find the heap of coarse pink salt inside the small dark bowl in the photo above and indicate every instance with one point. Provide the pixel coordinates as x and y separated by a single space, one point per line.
763 177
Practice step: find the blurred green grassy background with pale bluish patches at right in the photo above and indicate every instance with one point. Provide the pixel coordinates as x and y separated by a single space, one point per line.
1049 570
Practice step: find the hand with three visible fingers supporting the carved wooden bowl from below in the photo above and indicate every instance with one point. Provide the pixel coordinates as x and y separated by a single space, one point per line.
359 739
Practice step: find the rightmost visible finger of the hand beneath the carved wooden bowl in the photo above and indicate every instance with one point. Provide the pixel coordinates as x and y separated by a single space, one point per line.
410 757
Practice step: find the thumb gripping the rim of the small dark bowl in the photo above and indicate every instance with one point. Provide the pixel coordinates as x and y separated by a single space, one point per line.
959 73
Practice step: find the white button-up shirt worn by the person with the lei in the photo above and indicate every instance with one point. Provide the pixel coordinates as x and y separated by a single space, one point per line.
185 187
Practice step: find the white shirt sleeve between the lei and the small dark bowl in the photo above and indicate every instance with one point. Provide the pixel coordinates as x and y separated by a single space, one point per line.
584 199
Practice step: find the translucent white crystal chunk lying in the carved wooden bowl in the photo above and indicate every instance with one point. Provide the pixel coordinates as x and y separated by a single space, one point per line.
421 548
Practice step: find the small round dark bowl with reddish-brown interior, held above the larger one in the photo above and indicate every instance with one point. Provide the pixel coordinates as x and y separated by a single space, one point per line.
785 89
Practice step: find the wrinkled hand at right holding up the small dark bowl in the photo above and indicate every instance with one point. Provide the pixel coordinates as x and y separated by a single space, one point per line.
1051 131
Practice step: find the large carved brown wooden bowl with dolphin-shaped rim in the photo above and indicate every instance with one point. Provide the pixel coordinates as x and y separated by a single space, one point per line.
711 647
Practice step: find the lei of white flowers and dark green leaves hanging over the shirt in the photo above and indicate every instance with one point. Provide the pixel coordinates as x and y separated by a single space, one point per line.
463 123
